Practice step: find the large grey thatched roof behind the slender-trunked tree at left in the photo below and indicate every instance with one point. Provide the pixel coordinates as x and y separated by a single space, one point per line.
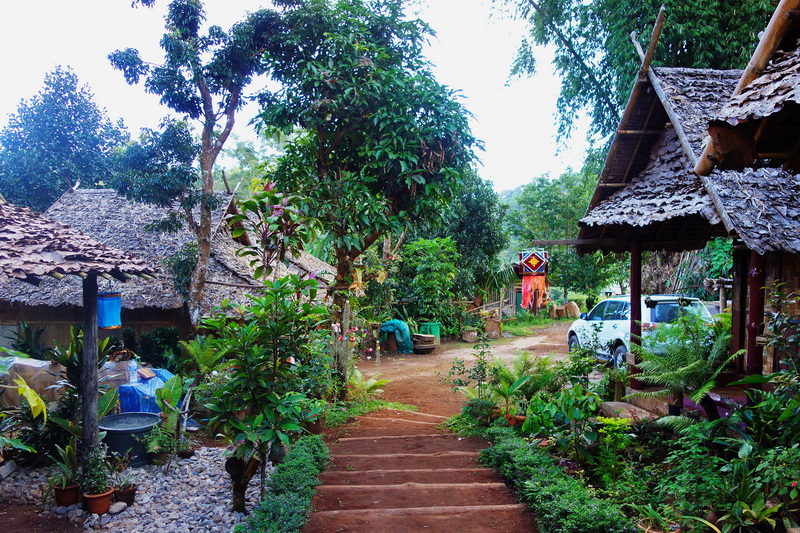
114 220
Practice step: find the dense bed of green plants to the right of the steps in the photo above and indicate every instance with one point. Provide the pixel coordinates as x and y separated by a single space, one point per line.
584 472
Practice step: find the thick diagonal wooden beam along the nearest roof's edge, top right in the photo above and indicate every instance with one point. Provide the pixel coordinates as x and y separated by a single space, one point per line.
770 39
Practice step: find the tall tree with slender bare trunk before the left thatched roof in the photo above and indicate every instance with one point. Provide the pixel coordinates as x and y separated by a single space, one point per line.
203 77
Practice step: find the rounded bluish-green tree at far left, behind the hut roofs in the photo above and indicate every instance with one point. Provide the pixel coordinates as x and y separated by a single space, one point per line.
55 139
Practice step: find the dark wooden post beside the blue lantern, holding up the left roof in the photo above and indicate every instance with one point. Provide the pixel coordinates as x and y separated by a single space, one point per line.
89 427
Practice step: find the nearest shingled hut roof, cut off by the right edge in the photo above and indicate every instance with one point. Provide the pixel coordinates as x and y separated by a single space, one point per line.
755 144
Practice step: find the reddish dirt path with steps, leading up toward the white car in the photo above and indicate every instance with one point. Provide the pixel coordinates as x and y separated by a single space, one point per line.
400 471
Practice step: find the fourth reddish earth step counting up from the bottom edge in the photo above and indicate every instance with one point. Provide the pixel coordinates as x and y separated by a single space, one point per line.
402 461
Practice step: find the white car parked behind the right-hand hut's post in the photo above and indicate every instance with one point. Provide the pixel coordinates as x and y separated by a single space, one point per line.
611 320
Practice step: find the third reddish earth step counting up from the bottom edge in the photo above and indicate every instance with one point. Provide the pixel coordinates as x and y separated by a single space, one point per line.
417 475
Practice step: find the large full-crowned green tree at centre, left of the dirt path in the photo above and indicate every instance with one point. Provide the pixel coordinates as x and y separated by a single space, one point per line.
385 144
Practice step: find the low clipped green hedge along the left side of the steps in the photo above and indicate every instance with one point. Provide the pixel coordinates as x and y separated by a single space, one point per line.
291 486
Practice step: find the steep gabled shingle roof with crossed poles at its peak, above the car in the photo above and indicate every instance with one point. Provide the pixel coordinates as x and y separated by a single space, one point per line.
647 189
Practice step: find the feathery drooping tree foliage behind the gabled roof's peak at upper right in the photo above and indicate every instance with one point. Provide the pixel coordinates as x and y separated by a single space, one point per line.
597 61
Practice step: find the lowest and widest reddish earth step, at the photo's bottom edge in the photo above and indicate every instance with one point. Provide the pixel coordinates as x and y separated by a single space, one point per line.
473 519
